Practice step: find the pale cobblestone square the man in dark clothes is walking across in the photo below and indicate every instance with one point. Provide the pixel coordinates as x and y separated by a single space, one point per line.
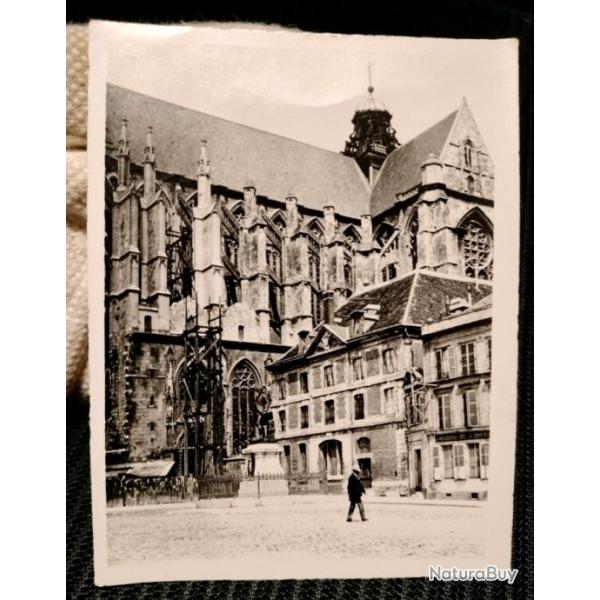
293 531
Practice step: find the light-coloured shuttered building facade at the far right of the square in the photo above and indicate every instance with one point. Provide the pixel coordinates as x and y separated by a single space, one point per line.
448 442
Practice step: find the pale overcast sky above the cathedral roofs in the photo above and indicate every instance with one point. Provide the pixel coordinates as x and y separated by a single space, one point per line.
307 86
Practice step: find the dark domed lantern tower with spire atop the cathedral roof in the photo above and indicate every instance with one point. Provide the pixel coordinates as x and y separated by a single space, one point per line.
373 137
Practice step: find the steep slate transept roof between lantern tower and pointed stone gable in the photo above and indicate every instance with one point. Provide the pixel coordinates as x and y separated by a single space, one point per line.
401 170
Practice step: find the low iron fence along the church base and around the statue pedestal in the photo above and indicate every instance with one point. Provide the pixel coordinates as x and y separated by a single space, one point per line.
135 491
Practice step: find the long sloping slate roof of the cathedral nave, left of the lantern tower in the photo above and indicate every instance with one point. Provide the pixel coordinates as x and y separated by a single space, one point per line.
276 164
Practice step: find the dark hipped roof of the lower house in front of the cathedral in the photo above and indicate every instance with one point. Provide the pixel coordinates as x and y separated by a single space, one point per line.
415 299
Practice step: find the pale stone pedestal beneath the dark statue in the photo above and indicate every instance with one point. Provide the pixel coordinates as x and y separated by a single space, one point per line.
264 466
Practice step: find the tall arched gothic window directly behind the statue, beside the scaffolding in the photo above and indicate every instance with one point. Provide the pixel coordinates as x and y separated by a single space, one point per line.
244 394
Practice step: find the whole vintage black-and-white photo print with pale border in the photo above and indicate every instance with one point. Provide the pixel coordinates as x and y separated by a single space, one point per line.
300 366
